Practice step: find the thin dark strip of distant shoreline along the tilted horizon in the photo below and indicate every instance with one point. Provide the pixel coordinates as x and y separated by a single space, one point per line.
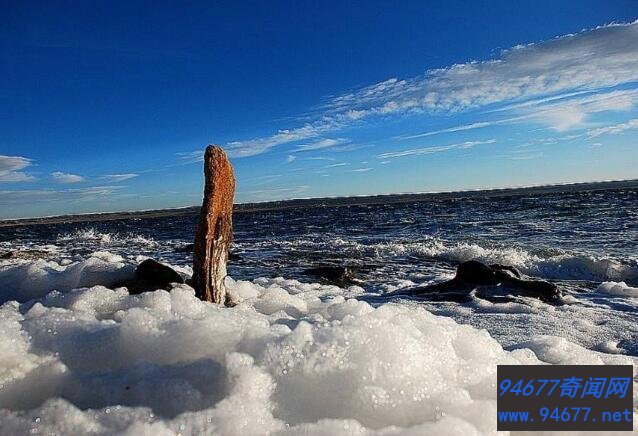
328 202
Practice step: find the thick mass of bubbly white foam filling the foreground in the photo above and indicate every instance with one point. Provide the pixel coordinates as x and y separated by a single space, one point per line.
291 358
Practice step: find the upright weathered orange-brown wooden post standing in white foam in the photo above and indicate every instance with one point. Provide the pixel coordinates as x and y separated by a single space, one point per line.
214 231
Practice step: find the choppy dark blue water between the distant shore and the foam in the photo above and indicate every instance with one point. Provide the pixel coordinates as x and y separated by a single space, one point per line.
580 238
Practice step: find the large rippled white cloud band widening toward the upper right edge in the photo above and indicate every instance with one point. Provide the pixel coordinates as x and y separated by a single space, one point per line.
602 57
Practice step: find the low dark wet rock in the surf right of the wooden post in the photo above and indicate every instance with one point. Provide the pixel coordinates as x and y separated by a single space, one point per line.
504 281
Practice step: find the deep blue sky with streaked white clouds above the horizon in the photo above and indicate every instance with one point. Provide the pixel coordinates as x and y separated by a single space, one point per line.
107 106
